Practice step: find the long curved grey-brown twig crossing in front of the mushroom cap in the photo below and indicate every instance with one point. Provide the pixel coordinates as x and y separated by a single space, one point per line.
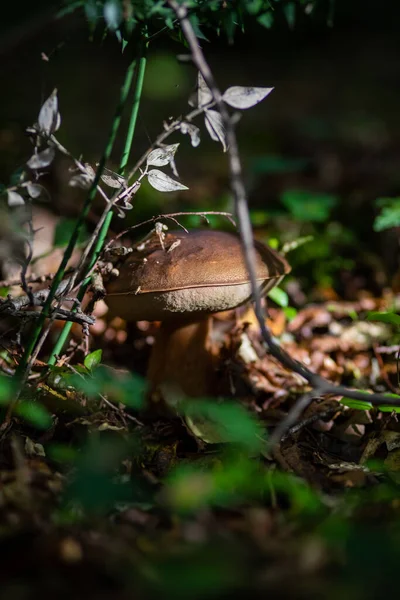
318 383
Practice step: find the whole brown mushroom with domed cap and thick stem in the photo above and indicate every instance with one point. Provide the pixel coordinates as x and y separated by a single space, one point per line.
181 282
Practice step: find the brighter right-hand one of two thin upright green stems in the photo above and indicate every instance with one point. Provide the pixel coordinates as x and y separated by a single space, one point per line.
139 78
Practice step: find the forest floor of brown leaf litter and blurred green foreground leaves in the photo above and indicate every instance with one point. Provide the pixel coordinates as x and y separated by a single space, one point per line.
103 505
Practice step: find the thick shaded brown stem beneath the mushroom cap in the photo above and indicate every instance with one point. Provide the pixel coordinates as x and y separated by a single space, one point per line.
181 361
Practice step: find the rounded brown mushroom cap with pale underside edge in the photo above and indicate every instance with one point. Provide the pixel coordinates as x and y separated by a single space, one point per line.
196 273
